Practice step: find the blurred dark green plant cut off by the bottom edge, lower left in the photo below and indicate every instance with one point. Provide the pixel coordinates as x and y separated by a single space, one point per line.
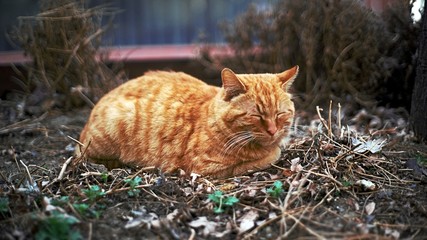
57 226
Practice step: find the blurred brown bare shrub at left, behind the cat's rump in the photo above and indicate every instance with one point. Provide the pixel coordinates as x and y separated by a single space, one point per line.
64 41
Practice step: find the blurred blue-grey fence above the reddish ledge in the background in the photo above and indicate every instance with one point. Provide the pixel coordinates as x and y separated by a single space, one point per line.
147 22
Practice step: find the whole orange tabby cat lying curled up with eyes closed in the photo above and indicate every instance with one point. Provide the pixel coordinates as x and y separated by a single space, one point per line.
172 120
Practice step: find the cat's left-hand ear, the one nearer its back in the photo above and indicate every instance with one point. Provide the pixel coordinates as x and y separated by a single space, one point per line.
231 84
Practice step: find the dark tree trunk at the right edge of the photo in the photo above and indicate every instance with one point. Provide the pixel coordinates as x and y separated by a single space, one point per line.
418 116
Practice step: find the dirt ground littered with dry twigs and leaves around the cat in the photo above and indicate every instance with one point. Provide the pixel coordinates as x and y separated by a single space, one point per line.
324 187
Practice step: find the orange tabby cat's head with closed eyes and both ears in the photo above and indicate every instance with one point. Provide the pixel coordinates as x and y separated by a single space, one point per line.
257 107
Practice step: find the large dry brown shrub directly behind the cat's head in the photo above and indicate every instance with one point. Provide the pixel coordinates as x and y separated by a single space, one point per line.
341 46
